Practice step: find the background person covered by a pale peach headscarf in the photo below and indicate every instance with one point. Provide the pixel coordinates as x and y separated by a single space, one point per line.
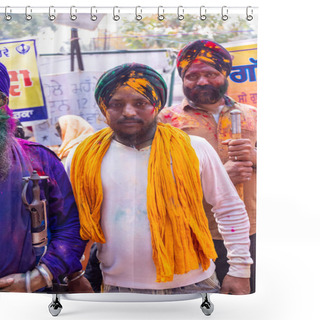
72 130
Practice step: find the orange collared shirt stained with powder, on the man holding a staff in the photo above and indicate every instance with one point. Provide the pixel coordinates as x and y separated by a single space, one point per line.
199 122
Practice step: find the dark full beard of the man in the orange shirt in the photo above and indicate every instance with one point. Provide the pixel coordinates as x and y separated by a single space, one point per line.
206 94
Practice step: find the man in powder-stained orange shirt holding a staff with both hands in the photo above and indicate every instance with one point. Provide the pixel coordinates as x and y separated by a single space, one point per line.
204 66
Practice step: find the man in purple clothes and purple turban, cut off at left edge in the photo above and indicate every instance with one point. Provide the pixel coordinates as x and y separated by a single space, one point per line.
25 266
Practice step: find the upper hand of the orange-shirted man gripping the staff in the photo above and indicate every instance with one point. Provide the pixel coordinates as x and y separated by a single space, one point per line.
241 150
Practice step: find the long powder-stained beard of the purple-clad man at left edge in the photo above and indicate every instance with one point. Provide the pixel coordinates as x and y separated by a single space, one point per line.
6 137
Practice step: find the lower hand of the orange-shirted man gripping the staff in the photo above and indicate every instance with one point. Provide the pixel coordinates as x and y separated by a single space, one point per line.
239 171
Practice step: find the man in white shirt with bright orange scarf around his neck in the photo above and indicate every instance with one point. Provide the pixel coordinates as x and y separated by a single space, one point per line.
139 188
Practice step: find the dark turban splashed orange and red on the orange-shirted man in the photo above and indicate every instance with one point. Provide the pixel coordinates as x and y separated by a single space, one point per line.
206 51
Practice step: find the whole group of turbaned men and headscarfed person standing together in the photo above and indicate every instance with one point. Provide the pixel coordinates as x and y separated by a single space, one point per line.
147 205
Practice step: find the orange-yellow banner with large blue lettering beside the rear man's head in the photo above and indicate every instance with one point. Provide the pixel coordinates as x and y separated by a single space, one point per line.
243 76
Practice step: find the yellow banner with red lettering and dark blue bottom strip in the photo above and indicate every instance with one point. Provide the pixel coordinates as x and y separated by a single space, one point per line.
26 96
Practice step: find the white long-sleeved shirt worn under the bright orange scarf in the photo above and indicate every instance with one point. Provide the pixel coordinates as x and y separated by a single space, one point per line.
126 257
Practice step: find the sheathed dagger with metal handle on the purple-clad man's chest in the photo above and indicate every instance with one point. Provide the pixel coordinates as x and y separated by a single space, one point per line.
37 210
